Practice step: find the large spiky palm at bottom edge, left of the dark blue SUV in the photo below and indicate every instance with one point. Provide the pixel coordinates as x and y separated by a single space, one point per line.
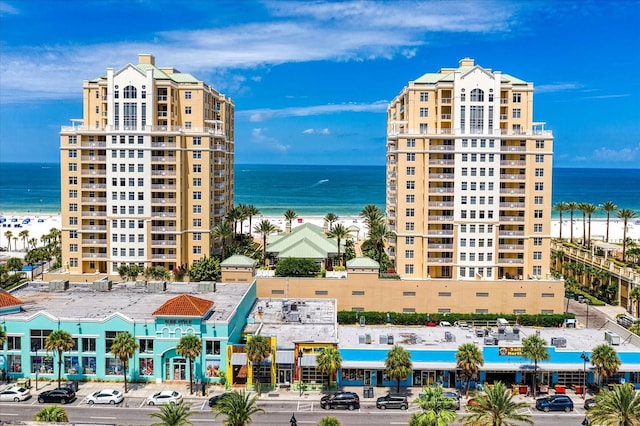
497 408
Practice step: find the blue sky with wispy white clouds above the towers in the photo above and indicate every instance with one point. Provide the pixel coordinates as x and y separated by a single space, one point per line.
311 80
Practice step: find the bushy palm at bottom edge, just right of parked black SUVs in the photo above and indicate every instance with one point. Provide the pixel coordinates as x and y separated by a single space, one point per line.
437 409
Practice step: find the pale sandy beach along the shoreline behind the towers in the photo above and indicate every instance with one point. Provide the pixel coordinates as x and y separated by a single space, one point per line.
41 224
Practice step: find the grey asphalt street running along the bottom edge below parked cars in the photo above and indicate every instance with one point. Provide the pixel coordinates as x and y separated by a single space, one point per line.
135 412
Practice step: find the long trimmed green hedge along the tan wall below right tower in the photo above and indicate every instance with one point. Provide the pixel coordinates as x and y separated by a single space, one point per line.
395 318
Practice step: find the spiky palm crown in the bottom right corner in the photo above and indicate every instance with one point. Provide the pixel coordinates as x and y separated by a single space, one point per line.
620 407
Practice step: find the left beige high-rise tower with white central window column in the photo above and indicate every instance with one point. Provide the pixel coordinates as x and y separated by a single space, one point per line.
147 172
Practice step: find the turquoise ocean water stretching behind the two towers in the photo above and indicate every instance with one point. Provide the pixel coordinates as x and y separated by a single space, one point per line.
313 190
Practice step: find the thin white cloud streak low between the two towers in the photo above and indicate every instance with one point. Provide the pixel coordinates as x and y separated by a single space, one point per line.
257 115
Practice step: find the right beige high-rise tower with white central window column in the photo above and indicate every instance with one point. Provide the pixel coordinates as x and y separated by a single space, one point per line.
468 178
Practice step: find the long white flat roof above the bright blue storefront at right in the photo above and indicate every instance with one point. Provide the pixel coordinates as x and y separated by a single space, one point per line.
433 338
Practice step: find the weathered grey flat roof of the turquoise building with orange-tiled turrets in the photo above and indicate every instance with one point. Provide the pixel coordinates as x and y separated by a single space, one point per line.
81 302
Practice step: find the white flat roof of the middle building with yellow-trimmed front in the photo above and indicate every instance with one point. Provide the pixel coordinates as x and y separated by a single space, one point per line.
294 320
